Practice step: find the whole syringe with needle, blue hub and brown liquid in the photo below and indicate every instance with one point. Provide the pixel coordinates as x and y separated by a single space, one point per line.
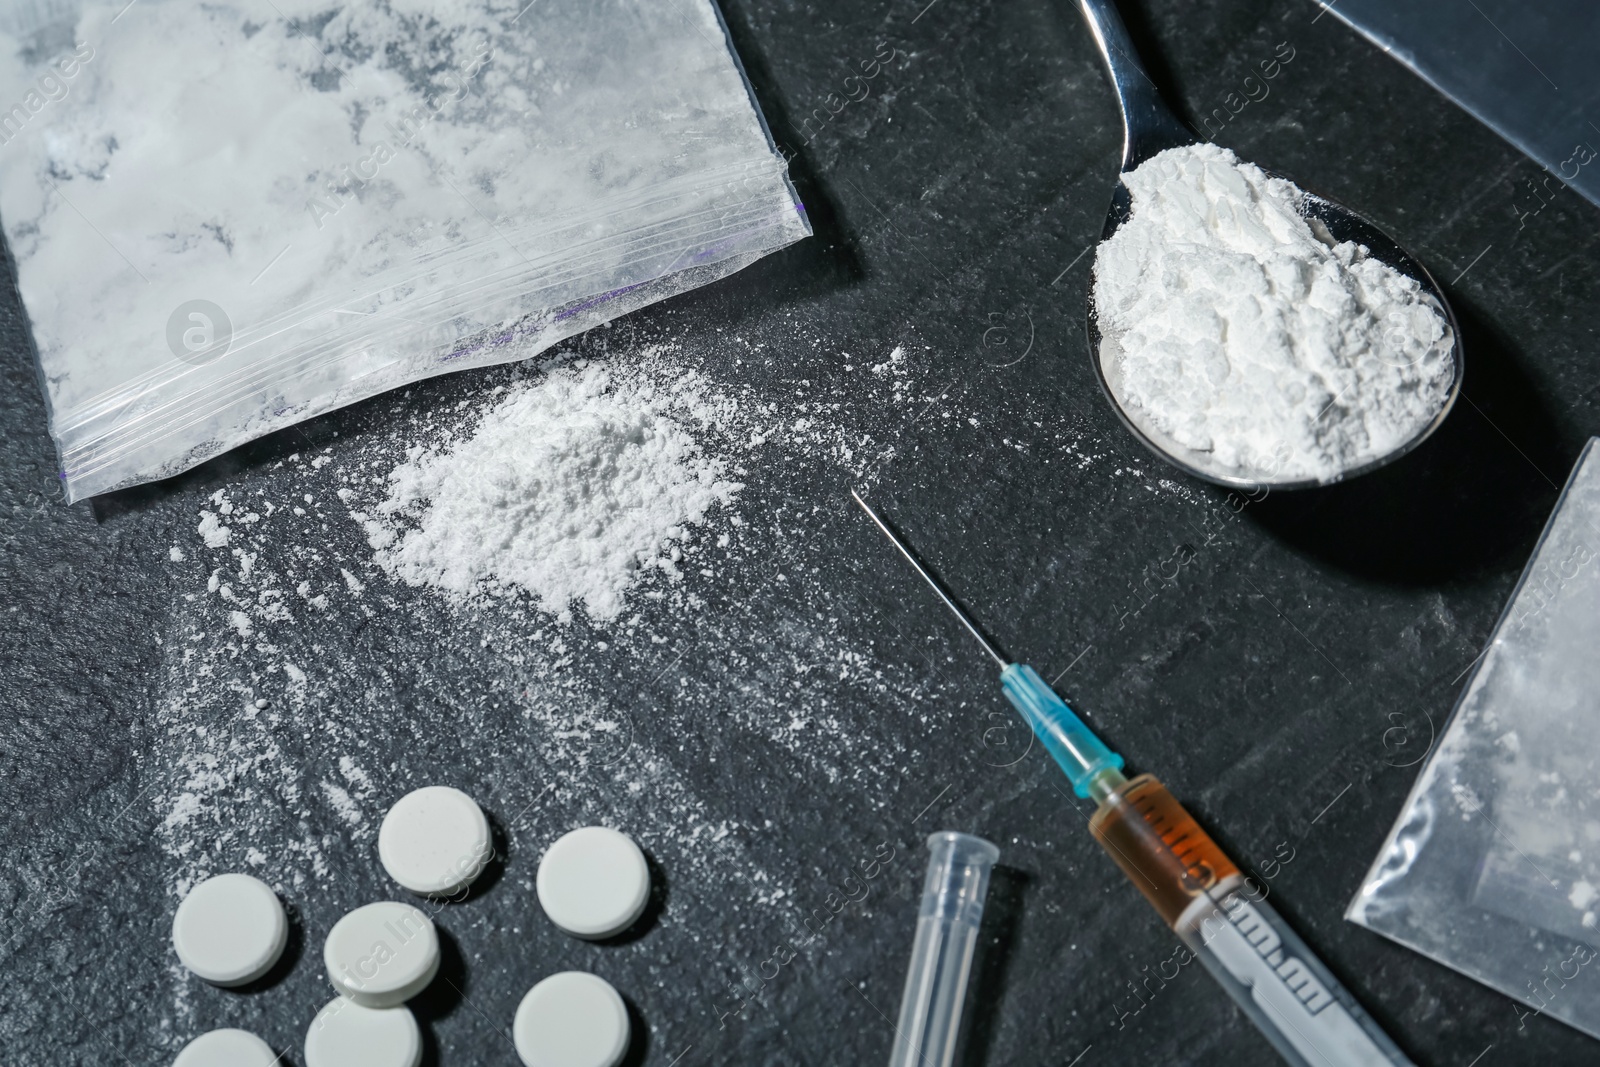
1196 889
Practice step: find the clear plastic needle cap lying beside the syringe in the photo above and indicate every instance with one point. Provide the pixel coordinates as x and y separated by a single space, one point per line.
953 908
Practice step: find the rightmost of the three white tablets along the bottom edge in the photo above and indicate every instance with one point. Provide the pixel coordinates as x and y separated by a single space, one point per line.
572 1020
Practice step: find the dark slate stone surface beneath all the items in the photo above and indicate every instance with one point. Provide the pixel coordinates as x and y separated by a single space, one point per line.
1278 685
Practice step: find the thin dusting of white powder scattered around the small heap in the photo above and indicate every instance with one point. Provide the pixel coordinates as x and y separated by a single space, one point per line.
262 740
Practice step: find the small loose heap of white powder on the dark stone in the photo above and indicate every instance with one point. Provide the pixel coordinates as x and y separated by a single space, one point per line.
569 489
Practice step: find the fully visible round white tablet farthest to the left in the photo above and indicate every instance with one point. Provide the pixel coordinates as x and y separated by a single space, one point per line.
231 930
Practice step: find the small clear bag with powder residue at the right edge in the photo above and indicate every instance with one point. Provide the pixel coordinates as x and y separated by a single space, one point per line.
1494 866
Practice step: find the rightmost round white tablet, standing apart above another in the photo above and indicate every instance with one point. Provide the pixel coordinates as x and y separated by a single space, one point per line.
594 882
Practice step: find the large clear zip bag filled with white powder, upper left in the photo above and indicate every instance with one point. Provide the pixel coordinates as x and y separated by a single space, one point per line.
228 218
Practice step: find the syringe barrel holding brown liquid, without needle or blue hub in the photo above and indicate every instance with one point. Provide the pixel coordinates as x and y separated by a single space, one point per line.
1228 925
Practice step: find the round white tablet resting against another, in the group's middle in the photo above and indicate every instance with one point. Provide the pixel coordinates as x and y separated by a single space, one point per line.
383 954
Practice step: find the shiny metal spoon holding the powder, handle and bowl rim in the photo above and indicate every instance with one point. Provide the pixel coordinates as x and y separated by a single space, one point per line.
1150 129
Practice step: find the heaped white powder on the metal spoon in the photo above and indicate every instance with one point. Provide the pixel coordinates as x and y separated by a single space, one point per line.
1234 332
